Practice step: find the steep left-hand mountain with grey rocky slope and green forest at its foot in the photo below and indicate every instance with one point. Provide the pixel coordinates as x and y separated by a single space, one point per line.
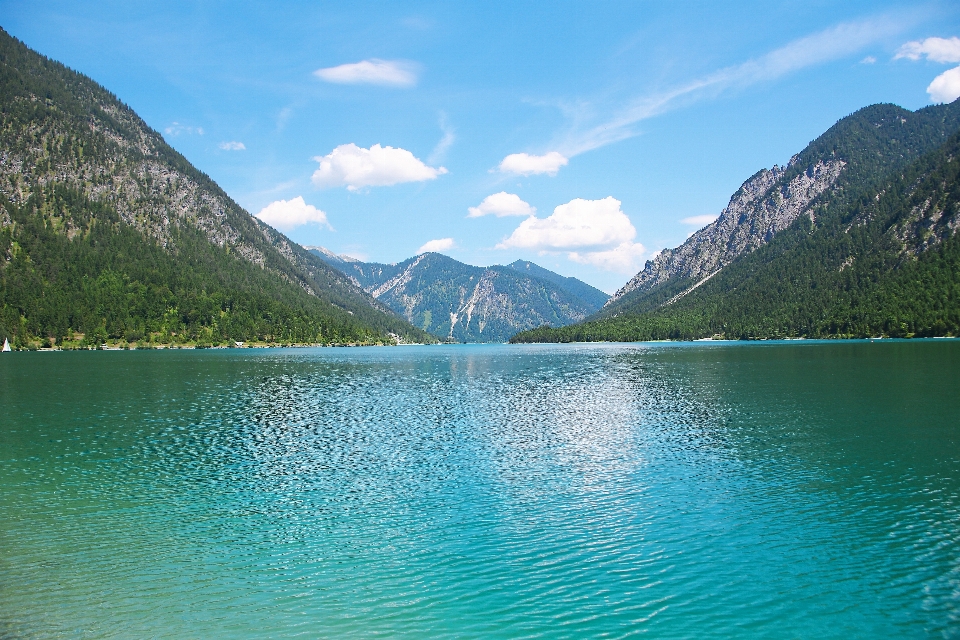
110 234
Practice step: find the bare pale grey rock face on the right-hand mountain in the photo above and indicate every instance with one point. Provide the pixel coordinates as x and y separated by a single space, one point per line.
764 205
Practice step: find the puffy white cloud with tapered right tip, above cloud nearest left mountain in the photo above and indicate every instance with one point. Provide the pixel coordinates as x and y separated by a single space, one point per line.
355 167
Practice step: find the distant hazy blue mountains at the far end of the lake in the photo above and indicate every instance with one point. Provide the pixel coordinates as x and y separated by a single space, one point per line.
463 303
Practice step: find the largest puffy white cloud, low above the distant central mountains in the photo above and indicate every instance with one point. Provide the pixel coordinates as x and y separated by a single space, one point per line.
591 225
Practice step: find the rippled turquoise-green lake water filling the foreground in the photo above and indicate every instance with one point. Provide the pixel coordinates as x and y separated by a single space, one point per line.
769 490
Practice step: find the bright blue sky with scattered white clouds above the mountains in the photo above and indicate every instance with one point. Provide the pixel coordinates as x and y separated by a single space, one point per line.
584 136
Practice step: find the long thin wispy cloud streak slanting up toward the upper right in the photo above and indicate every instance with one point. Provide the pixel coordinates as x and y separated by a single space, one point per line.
819 48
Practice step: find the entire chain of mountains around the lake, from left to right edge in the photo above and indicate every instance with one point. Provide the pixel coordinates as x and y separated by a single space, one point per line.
109 236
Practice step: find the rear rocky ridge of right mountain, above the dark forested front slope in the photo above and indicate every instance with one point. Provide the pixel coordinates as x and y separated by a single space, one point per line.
875 140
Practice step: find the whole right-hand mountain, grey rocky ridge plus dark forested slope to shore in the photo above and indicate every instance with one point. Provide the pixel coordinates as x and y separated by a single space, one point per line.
853 238
